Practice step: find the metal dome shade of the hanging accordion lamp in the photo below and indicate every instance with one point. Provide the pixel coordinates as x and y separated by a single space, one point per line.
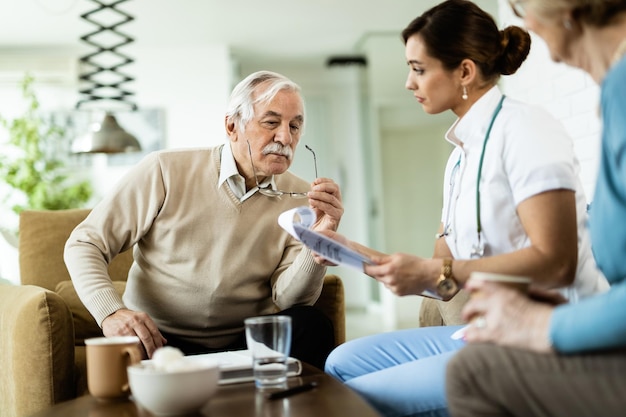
106 137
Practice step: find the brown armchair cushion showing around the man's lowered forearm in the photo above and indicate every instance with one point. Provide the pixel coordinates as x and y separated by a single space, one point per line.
85 325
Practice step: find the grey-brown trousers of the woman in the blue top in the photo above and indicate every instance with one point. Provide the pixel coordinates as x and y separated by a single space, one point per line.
486 380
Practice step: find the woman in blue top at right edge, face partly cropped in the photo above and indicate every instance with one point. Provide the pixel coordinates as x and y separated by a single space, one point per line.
570 359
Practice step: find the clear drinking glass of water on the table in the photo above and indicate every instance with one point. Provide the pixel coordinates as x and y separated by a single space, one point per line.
269 342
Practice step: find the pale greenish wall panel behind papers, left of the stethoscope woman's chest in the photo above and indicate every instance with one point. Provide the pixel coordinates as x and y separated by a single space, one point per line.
413 161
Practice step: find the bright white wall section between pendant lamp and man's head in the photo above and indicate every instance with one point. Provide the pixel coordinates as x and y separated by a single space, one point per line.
192 84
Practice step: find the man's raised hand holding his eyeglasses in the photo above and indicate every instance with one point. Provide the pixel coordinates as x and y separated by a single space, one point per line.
325 200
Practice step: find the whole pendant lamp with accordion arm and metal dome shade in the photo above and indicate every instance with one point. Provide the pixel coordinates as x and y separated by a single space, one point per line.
103 83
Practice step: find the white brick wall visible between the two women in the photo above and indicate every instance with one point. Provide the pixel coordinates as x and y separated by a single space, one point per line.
569 94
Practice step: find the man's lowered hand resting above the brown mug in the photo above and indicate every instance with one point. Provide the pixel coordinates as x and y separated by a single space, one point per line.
126 322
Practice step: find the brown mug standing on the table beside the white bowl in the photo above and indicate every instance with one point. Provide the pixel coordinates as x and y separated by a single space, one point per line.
107 360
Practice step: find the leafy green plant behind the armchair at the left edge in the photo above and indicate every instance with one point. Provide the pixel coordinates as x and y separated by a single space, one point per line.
33 175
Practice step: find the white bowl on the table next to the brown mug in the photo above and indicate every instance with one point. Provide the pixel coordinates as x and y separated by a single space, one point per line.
173 392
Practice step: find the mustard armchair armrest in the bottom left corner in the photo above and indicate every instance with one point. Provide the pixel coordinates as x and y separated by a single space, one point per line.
36 350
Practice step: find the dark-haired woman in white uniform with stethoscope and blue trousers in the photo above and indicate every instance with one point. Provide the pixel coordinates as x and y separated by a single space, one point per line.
513 204
